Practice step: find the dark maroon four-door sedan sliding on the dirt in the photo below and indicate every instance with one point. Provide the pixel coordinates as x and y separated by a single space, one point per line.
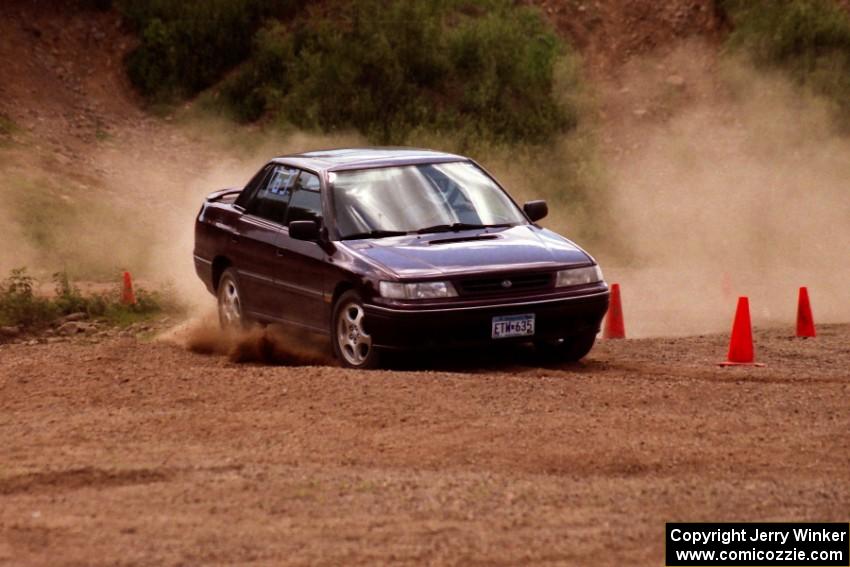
387 249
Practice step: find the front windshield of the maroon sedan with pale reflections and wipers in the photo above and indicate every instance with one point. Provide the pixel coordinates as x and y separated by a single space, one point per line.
434 197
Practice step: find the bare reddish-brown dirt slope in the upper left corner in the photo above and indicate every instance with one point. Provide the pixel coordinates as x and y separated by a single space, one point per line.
62 78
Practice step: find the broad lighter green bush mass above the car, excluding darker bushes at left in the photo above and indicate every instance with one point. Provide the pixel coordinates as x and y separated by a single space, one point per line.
479 69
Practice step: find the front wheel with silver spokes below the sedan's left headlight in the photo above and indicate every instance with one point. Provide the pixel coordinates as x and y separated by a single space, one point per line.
352 344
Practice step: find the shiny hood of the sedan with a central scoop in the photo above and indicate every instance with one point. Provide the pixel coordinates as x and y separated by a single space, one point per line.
450 253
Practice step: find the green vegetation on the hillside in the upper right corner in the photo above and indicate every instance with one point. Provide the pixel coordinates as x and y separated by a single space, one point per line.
807 39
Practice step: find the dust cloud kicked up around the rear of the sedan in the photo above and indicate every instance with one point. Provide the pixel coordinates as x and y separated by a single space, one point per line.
174 189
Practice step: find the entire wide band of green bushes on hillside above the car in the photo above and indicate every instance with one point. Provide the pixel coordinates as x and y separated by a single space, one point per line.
477 68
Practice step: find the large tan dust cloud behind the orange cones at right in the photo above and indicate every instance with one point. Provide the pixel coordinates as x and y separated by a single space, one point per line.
741 189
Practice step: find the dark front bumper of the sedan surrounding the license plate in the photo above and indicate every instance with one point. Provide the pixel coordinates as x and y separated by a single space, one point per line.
555 318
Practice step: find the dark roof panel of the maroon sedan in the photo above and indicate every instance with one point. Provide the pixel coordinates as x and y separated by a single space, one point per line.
364 158
